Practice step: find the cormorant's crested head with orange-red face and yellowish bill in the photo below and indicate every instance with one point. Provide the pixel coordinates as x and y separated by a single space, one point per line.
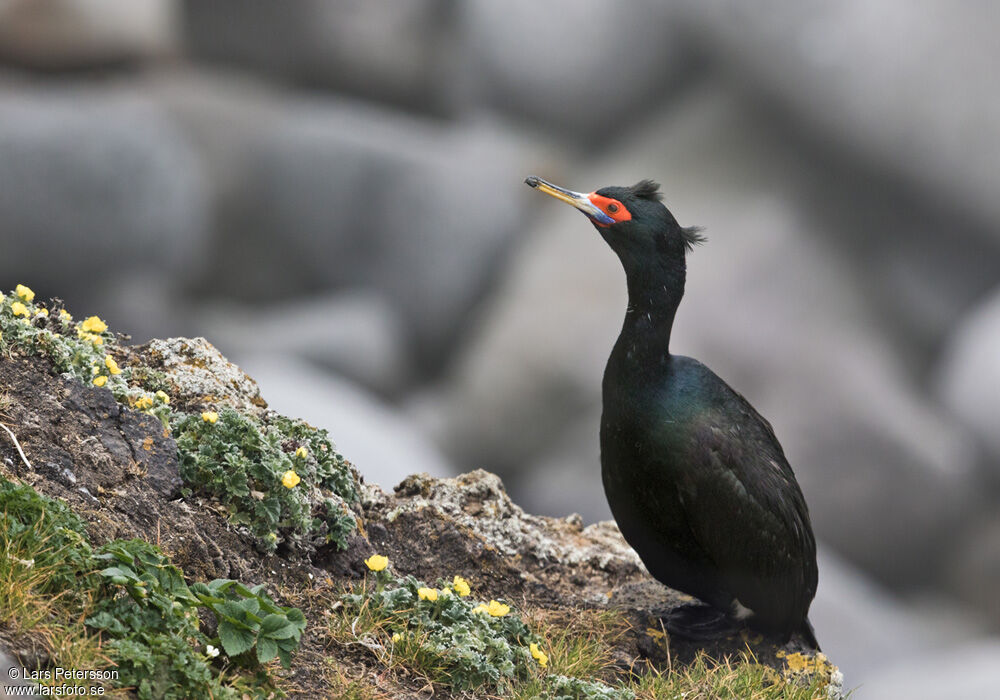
632 220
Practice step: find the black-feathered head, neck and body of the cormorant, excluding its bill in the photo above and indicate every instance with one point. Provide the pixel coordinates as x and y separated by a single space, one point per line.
695 477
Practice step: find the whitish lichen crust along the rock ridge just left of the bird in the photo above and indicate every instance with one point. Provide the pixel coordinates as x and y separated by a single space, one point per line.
479 502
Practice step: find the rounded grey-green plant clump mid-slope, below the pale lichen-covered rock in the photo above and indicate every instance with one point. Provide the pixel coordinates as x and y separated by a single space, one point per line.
281 479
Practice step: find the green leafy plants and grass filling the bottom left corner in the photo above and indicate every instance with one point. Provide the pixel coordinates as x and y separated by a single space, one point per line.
146 615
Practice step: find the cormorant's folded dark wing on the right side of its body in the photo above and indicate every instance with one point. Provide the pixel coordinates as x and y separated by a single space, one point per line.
746 511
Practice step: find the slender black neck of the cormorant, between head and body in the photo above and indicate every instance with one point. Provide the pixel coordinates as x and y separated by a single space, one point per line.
652 305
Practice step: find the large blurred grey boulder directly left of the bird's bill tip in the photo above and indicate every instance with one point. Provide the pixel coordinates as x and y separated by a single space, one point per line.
317 195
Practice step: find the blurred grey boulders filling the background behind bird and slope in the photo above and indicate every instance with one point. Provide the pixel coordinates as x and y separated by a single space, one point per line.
331 192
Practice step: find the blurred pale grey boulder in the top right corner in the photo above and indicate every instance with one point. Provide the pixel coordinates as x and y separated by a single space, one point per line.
829 66
